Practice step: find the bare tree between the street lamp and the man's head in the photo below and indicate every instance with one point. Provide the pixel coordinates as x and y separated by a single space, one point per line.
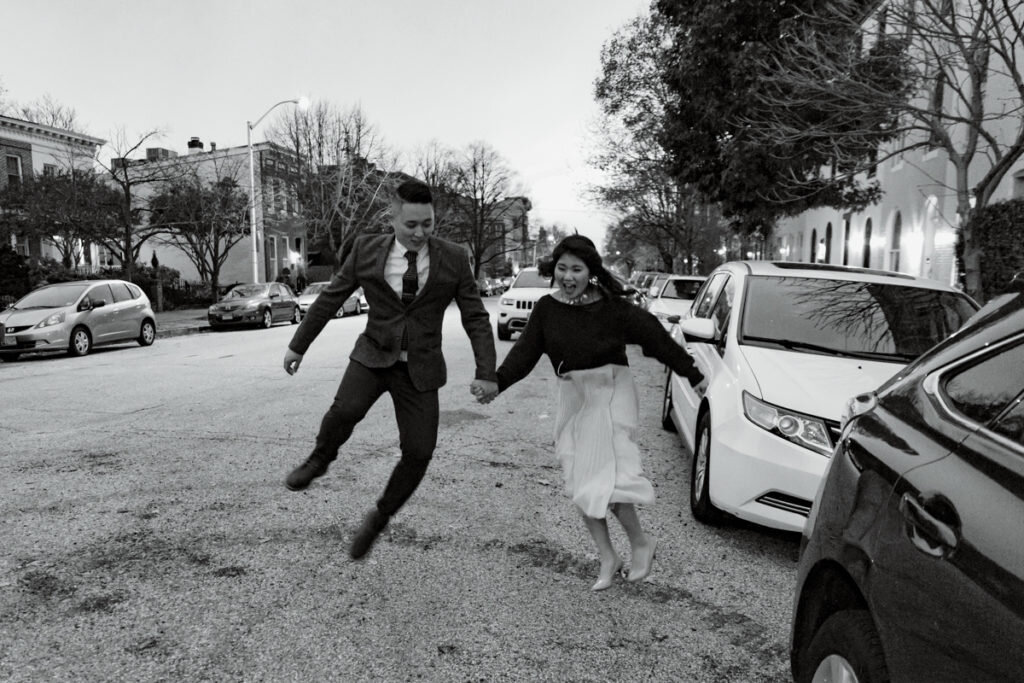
345 184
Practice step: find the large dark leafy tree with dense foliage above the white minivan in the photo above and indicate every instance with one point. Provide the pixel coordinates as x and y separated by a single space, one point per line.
717 67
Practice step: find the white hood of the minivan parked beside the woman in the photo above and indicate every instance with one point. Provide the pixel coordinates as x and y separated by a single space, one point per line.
817 386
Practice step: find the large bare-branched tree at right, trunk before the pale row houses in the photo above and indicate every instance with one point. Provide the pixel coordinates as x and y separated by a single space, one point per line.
933 72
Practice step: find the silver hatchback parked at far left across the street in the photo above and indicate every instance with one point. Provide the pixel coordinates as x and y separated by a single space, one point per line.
75 318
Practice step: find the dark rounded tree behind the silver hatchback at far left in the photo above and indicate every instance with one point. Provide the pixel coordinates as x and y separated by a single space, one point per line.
70 209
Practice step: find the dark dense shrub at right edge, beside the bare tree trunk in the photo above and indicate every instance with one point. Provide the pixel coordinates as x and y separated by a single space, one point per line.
999 231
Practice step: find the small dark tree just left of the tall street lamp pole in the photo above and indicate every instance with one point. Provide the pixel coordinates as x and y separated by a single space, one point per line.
204 220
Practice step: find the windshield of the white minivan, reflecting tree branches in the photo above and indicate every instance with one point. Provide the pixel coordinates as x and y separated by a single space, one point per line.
845 318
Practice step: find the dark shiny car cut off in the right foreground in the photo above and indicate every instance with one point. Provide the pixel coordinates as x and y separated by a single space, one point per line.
913 560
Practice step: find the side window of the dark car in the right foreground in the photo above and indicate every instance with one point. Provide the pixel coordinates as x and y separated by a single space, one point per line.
984 391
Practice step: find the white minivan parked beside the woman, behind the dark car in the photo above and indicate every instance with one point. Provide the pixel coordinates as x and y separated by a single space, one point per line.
784 348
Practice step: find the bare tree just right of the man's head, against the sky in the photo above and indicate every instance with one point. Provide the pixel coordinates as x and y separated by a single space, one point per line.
488 211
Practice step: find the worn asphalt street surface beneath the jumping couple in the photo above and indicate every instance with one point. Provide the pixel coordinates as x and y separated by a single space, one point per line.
148 536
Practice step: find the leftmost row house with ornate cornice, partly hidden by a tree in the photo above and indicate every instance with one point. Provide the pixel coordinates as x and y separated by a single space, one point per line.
29 150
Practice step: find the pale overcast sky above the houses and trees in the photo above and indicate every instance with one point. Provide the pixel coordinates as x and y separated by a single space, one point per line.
518 74
